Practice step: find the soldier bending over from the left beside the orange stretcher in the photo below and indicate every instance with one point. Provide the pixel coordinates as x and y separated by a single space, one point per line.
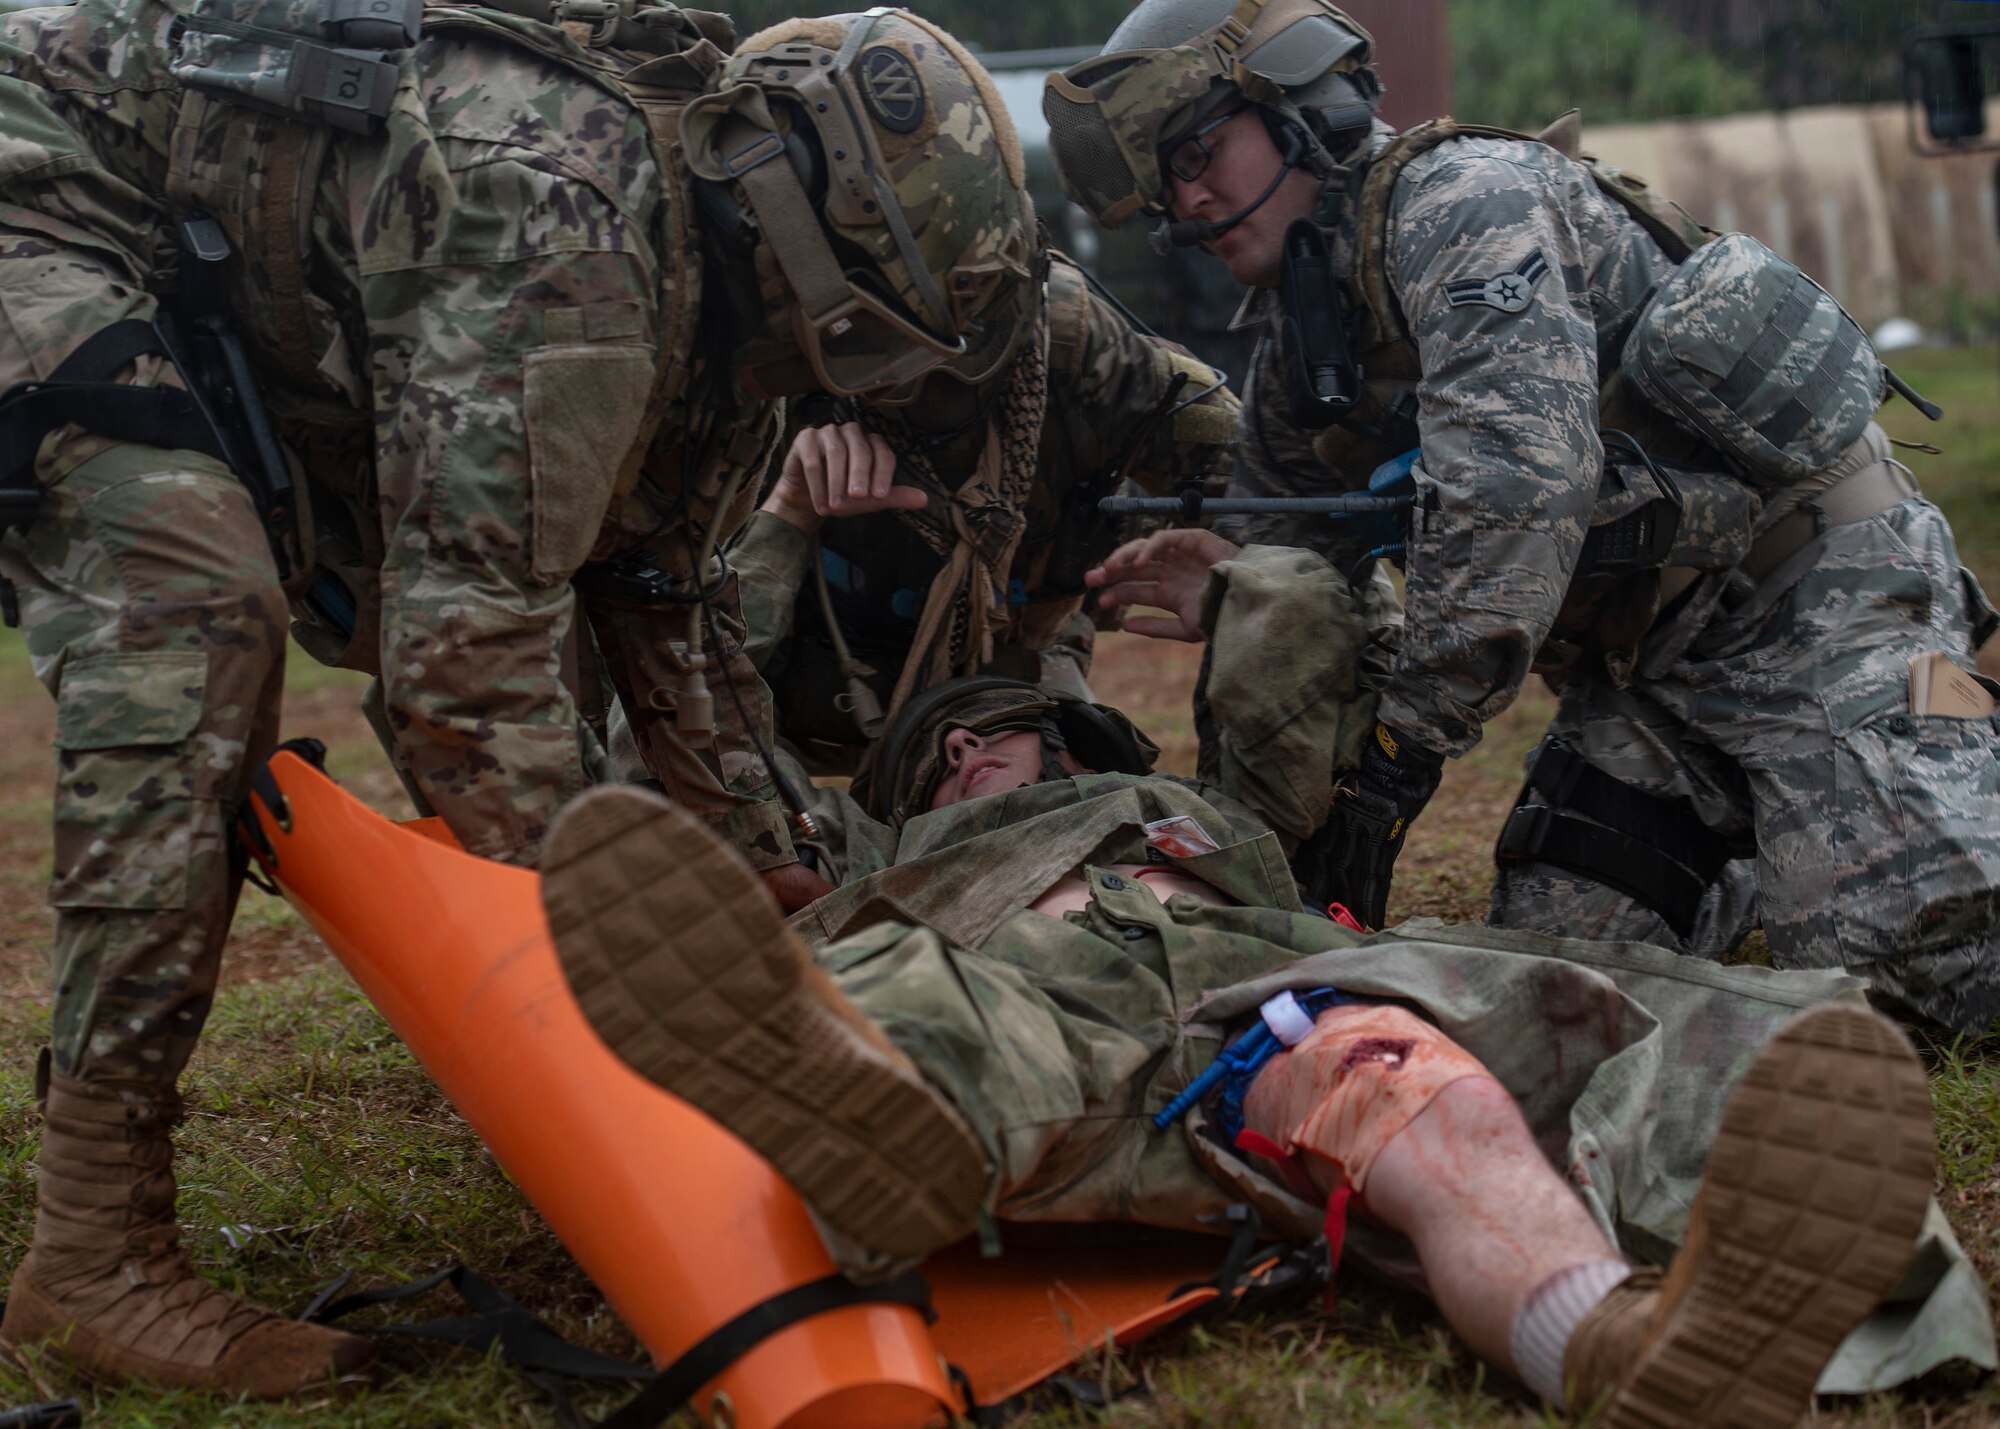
507 335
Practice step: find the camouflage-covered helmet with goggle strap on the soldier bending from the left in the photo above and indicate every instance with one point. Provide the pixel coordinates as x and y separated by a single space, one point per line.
879 173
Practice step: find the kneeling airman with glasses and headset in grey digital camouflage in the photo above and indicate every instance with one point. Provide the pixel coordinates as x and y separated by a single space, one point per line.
1739 685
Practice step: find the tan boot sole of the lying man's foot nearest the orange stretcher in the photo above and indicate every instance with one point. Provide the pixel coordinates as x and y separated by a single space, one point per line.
689 974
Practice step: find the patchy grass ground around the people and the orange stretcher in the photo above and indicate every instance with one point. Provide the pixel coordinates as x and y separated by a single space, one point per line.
321 1146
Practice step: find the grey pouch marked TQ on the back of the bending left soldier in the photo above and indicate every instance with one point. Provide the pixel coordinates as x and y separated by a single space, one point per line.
319 61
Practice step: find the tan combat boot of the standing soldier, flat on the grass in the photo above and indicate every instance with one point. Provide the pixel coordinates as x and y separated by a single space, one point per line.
107 1282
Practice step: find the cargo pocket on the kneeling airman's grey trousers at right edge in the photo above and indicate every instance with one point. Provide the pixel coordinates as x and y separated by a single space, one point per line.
1917 842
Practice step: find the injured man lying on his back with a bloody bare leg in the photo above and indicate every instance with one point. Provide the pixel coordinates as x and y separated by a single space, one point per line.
1037 948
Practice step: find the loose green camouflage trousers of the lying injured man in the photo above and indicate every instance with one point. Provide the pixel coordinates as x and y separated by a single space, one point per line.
1059 1038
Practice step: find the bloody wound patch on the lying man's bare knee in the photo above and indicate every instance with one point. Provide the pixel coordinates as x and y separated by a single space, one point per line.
1351 1088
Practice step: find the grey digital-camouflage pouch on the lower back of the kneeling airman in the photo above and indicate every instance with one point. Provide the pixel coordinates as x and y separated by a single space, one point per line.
1757 359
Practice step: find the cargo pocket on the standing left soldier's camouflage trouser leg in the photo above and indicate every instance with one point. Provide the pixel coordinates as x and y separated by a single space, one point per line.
125 780
